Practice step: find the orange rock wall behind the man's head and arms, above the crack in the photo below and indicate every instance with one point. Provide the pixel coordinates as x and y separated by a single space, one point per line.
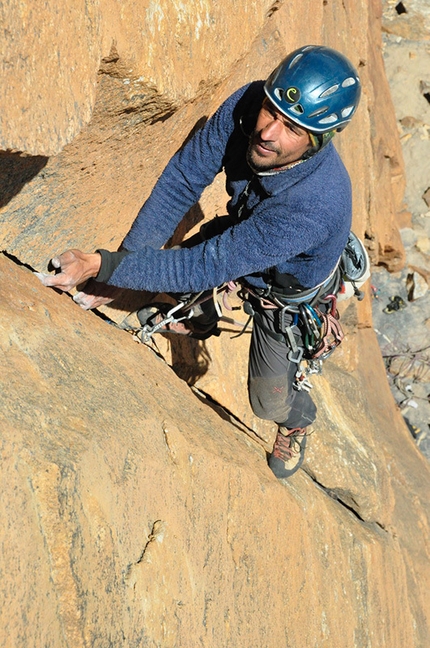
99 140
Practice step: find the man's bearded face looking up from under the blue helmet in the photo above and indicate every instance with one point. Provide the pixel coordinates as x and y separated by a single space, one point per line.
276 140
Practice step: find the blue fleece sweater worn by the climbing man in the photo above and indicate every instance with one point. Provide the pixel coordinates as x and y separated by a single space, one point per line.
296 220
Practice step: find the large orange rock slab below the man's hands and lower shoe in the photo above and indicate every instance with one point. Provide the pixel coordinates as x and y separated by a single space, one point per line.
134 515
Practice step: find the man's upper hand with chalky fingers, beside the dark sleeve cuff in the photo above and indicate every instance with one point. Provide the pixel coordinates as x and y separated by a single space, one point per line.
75 268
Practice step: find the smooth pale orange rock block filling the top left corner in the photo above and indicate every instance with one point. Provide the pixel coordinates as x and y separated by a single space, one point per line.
50 55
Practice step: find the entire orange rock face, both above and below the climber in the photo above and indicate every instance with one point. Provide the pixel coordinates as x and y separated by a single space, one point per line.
135 512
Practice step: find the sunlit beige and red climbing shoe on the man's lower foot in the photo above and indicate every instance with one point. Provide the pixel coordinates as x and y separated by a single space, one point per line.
288 451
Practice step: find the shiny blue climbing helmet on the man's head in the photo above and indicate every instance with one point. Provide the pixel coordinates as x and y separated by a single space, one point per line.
316 87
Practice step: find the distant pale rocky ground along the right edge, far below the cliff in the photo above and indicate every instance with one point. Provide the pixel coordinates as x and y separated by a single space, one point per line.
401 305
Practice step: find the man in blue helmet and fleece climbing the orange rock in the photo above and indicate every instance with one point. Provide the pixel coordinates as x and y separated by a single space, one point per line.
288 220
